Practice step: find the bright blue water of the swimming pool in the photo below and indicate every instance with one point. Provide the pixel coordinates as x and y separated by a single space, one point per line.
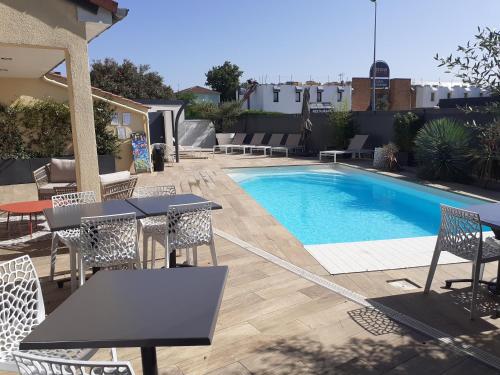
321 204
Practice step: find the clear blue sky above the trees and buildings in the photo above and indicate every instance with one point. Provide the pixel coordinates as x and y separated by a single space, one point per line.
281 40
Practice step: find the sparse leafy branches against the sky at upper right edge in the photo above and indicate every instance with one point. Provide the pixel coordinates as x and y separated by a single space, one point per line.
477 63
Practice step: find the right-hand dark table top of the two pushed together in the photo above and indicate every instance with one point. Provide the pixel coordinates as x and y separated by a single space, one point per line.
154 206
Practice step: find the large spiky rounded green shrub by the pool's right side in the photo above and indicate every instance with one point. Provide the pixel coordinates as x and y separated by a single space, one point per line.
443 151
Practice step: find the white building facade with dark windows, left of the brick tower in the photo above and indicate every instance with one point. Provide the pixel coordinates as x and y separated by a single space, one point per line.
288 98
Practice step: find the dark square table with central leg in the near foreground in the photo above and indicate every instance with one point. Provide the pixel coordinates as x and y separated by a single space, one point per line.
136 308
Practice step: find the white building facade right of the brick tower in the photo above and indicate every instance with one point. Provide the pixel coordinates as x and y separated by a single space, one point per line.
429 95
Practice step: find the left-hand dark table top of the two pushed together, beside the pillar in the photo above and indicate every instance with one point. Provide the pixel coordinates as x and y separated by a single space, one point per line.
60 218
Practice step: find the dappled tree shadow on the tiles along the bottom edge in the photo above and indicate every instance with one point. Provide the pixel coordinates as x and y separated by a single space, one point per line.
309 355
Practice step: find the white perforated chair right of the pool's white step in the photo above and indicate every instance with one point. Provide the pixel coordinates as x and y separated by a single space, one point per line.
461 234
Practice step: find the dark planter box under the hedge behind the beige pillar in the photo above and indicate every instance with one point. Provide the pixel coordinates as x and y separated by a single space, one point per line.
20 171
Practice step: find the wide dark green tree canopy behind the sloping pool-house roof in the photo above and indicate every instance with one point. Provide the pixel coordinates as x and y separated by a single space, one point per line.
129 80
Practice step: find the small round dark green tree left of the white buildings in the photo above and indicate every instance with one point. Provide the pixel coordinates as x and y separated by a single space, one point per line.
224 79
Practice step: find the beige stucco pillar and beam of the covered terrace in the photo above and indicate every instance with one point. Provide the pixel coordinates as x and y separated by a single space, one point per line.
54 24
